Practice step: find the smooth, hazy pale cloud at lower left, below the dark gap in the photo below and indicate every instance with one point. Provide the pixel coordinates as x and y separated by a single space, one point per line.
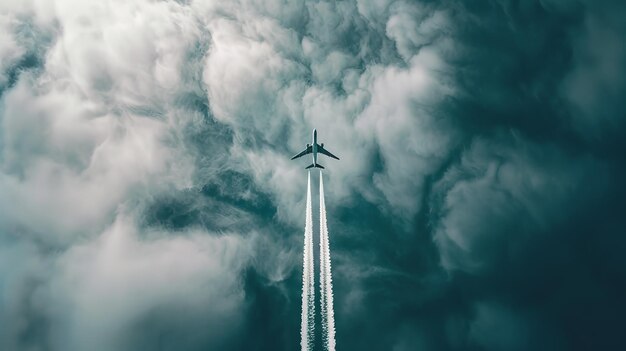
107 286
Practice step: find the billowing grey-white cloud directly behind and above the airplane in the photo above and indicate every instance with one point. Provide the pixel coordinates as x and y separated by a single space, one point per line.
263 95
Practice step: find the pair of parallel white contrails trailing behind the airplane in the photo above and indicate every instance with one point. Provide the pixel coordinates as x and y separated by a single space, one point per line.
308 281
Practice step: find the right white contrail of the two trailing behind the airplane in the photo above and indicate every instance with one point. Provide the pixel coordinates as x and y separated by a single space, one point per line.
326 280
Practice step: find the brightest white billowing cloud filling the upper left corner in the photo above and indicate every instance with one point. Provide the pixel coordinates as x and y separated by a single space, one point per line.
94 130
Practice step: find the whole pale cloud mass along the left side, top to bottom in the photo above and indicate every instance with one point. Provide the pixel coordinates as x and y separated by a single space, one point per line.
89 135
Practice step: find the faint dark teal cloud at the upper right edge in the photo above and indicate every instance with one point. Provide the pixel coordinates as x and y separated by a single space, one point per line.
592 88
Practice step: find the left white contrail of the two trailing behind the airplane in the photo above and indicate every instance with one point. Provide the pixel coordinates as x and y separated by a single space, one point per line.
307 326
